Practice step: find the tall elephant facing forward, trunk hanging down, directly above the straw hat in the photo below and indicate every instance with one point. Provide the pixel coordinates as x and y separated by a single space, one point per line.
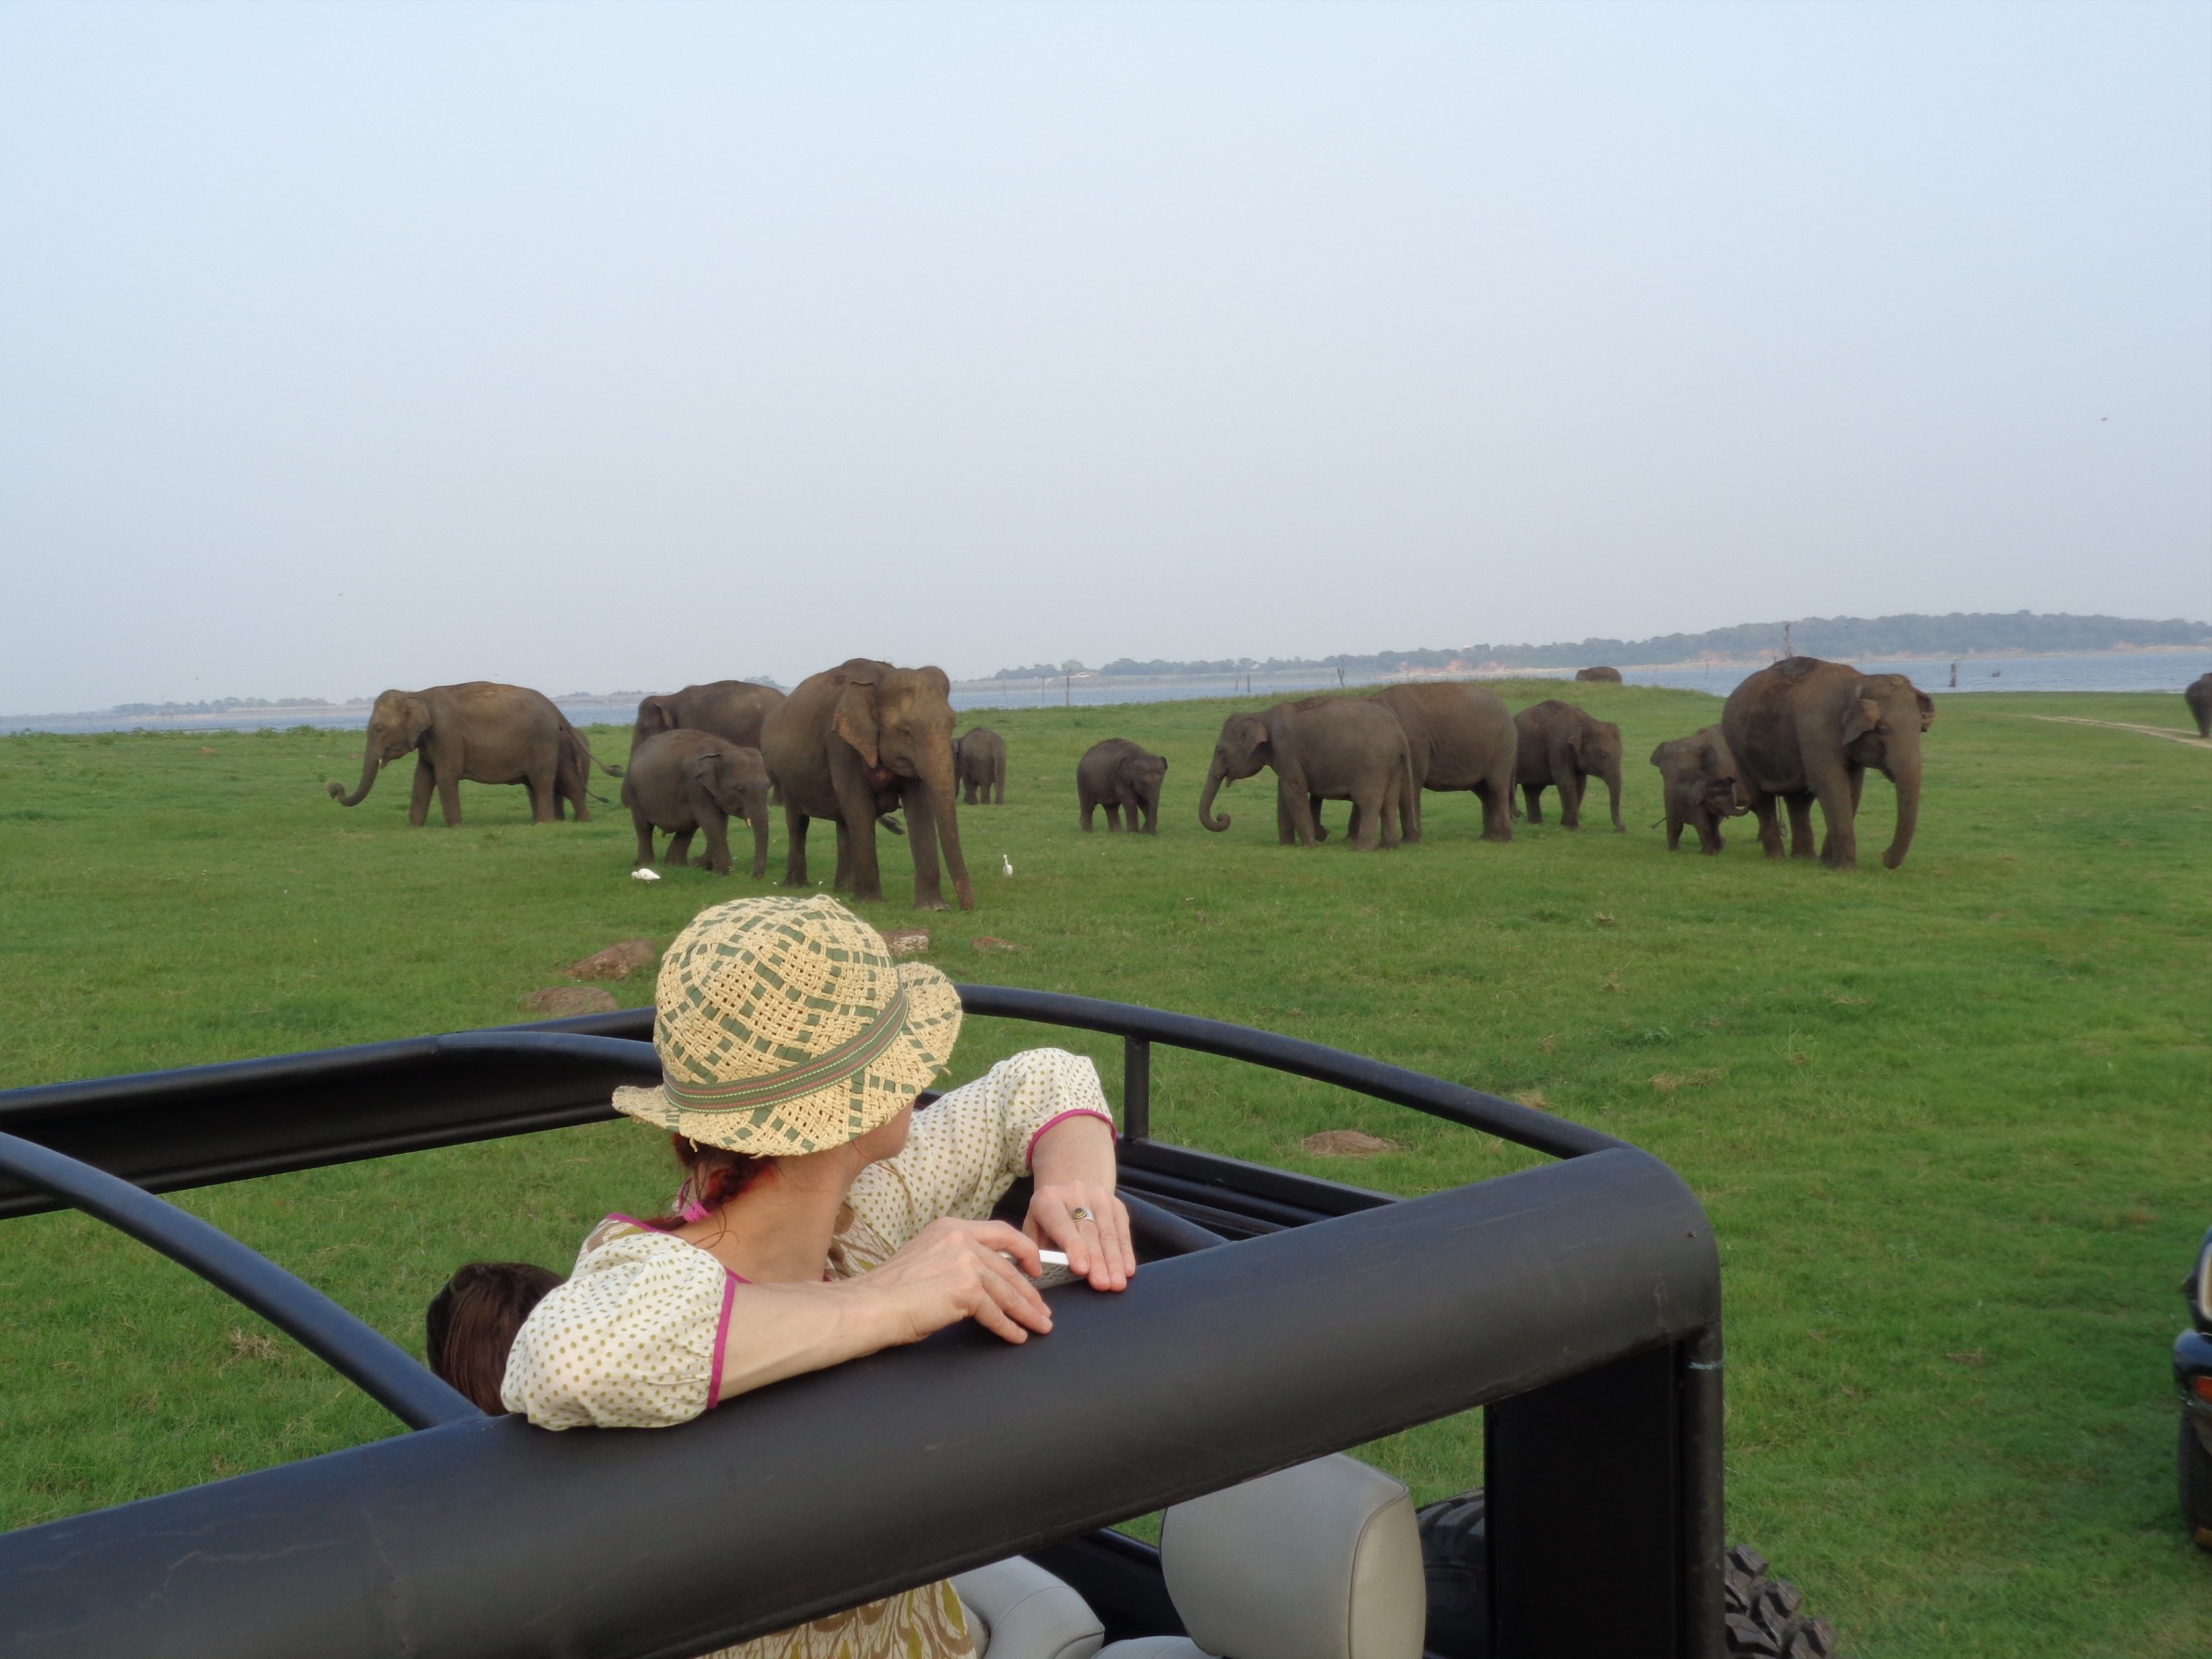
857 742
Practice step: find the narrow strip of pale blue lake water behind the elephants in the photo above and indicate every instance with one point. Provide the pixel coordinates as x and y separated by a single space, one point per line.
2133 671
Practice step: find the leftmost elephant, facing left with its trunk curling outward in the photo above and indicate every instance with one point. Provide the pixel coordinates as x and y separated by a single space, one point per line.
477 733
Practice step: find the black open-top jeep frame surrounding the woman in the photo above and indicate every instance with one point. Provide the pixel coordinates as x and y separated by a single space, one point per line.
1280 1319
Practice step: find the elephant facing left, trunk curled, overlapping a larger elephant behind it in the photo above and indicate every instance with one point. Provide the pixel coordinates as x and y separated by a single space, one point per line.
1333 749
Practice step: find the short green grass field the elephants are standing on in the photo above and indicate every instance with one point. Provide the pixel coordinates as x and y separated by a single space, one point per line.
1950 1123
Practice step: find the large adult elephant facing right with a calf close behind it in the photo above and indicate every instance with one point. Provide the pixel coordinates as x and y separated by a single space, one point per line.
1808 731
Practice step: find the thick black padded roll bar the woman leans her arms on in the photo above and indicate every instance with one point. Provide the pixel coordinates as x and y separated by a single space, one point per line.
817 1494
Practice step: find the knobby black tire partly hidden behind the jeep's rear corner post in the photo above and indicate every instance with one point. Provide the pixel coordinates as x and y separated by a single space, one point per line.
1764 1616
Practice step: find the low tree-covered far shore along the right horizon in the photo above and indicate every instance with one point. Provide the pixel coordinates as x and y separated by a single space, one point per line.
1906 636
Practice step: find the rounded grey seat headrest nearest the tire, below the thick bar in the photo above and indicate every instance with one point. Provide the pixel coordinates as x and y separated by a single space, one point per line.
1313 1563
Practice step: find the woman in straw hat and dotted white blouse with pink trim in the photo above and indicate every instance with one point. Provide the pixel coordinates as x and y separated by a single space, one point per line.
820 1215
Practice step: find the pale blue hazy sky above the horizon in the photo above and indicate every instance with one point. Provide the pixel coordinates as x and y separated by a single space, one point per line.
629 346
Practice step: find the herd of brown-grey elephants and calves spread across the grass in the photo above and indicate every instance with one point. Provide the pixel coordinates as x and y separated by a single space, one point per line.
864 742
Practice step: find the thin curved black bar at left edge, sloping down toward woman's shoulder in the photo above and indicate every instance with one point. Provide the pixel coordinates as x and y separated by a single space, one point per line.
359 1353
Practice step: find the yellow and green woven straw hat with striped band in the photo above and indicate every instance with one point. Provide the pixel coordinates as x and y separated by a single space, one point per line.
786 1027
